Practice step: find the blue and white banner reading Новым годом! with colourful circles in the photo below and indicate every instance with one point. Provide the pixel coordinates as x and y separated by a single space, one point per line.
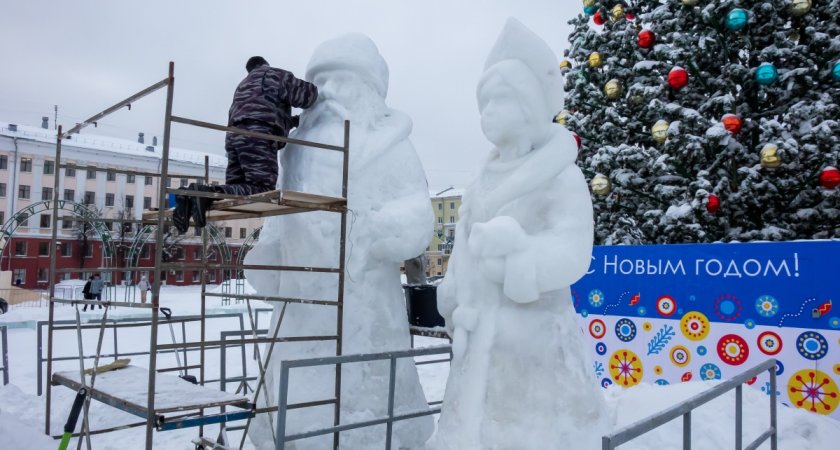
670 313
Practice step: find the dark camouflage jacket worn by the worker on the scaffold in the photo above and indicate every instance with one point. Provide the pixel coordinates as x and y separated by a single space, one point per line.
267 95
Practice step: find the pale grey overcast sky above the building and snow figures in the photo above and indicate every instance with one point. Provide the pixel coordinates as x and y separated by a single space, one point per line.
85 55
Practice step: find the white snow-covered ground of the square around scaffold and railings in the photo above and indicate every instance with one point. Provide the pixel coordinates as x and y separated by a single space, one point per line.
22 412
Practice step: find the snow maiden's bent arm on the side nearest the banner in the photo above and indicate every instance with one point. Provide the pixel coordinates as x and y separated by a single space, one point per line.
559 253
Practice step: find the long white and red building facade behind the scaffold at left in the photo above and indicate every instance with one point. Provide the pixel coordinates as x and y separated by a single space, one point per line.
27 179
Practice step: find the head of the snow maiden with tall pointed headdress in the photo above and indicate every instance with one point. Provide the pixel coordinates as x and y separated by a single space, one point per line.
520 91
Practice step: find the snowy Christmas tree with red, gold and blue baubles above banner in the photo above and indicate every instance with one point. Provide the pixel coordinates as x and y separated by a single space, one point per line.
706 121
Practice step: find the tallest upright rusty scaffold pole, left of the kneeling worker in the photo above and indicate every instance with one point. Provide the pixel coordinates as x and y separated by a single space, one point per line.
151 417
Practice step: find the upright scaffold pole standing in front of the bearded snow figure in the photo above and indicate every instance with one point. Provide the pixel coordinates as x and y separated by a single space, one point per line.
342 265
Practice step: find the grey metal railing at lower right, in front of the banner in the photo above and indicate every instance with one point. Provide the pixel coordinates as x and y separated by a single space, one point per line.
632 431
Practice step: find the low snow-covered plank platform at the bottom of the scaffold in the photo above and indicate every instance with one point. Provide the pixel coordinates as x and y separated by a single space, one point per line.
127 389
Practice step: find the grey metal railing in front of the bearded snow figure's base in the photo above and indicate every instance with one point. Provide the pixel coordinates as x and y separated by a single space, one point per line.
338 361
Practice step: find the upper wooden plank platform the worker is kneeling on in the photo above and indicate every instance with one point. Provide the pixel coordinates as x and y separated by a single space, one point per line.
266 204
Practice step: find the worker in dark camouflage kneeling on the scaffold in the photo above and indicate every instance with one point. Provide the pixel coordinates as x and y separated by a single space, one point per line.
262 103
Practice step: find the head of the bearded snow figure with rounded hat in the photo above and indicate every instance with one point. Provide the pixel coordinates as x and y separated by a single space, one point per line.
351 75
